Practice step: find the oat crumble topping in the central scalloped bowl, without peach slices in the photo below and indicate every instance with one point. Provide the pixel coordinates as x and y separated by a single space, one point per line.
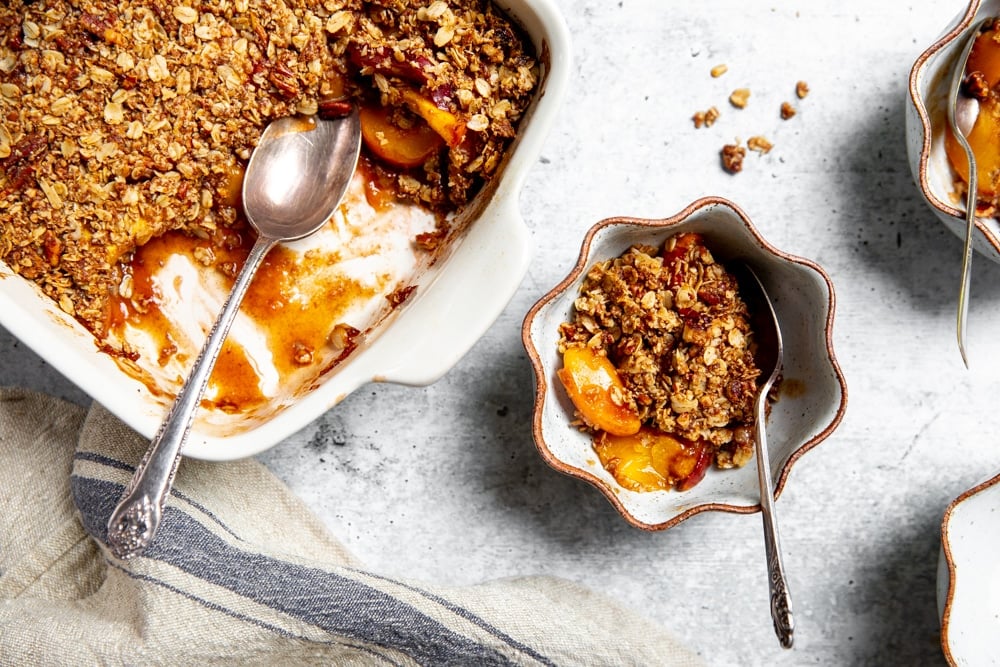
673 324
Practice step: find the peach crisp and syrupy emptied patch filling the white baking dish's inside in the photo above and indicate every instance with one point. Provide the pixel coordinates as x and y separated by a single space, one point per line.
125 127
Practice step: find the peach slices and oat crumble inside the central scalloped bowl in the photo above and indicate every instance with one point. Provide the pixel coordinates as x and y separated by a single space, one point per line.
658 363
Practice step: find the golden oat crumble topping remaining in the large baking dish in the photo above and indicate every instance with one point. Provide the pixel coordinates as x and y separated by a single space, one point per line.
120 121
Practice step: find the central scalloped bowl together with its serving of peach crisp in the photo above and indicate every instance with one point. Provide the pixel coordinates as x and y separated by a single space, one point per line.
645 371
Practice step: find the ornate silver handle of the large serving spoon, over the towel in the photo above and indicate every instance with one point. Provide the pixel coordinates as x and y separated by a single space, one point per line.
134 521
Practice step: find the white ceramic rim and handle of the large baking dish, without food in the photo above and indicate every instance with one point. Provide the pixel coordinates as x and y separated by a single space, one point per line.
458 298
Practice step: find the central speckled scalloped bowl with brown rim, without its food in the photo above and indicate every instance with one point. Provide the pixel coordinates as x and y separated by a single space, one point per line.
813 396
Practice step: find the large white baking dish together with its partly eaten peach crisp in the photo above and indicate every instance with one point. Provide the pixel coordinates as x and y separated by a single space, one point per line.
124 134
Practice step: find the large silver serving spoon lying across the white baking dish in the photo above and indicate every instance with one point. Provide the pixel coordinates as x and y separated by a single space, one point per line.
294 182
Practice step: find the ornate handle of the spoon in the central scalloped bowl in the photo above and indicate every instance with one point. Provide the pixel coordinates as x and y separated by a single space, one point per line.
781 602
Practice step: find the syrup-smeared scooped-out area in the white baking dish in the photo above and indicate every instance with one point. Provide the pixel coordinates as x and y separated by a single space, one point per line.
312 303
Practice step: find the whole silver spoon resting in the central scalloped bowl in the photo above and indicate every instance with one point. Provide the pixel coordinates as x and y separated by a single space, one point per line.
768 358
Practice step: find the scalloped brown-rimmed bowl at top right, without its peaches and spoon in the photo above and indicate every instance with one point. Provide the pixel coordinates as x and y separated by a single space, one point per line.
926 120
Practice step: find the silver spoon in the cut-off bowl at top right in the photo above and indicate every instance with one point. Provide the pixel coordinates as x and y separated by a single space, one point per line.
962 114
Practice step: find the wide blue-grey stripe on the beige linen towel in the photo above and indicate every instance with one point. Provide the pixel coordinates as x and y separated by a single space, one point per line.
336 604
